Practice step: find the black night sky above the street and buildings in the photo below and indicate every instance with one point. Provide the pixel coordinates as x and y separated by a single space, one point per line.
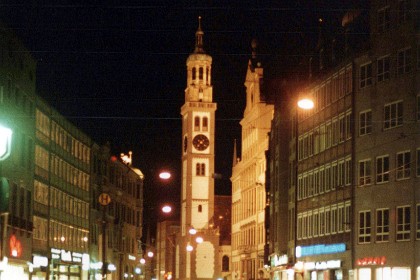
116 69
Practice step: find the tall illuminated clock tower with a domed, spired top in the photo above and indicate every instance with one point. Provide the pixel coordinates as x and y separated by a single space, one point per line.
198 246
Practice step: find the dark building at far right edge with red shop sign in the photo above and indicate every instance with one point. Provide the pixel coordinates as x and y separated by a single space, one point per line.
387 142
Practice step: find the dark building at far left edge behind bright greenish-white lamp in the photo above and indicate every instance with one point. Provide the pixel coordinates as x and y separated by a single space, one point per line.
17 137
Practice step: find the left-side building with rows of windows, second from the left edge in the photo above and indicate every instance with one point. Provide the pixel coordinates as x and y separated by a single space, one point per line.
61 194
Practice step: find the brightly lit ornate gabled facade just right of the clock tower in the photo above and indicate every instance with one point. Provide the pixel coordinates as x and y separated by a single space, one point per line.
248 180
